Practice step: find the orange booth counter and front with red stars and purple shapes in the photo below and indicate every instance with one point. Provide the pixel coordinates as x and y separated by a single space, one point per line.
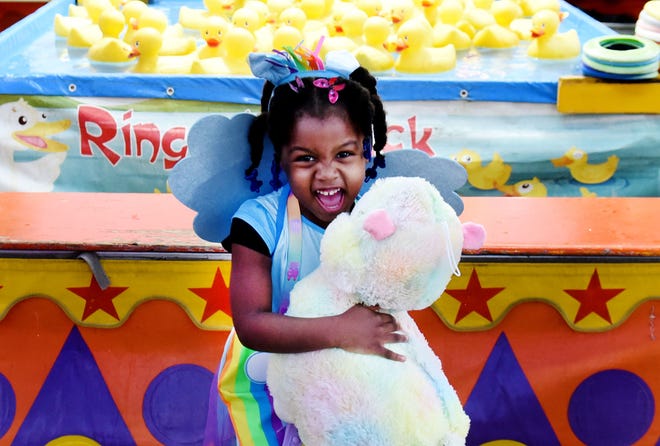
114 314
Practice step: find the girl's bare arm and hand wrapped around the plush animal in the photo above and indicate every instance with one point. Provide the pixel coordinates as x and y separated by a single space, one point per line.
359 329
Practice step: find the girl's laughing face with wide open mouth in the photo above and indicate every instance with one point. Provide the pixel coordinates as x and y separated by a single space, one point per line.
325 166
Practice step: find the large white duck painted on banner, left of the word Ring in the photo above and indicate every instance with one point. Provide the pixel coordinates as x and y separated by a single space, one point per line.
23 128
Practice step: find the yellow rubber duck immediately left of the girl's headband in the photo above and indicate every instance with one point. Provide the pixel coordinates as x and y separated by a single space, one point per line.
239 42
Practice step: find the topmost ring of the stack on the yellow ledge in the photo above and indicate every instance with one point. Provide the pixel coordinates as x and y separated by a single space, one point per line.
599 49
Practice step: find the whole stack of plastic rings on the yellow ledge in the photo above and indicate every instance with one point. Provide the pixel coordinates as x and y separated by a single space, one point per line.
621 57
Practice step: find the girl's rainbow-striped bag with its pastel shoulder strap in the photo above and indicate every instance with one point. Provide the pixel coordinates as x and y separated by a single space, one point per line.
250 404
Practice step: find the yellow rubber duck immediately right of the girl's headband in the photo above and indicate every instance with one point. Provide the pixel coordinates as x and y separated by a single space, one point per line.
373 54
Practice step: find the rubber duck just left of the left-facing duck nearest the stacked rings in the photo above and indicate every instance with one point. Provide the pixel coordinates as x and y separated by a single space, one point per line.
499 35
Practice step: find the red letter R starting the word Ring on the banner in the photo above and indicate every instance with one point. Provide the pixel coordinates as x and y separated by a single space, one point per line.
96 126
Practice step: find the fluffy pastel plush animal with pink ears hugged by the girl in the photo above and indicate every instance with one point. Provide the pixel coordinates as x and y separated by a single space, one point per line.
397 249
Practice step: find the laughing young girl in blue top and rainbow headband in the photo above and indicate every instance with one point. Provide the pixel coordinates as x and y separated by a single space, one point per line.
324 121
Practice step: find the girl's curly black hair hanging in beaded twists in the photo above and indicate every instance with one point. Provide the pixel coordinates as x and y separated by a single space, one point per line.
282 106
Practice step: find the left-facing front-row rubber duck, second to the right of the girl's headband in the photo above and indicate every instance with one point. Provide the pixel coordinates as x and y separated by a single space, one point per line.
416 53
